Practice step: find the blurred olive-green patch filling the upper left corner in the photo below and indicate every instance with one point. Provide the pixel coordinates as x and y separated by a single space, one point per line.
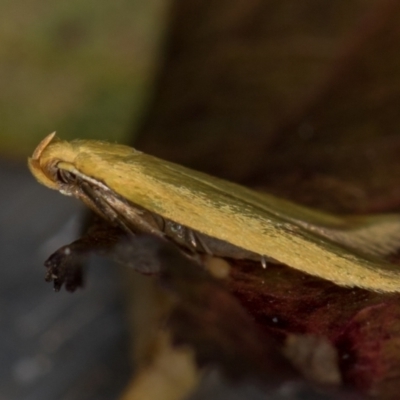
81 68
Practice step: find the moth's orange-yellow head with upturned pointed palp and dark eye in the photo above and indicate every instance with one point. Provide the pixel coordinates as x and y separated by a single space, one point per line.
52 164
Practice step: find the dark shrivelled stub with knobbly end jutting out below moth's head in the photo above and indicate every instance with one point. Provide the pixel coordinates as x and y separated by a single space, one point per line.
66 265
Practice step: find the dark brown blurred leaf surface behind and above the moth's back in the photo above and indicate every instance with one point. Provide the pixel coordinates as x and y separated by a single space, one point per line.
272 81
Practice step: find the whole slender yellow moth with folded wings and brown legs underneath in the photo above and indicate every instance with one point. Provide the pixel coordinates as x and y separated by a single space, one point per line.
204 214
